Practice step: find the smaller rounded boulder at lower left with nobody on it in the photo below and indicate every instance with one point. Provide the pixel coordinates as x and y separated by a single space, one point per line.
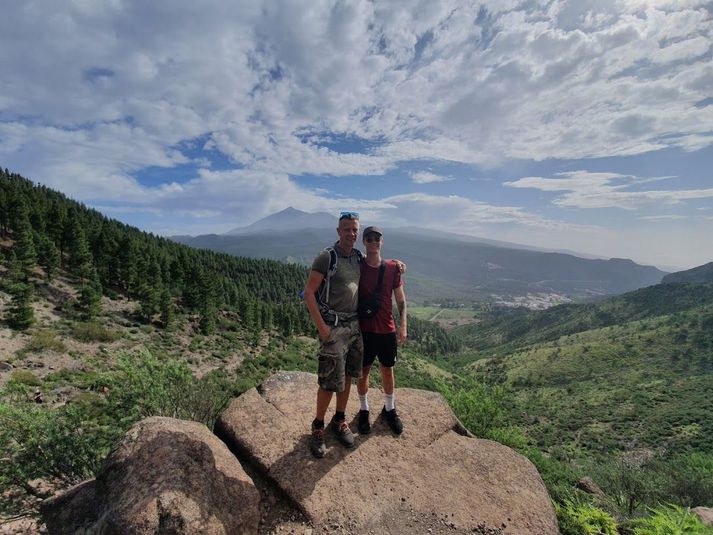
166 476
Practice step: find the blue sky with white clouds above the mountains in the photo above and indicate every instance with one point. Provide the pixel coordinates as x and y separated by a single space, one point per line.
582 124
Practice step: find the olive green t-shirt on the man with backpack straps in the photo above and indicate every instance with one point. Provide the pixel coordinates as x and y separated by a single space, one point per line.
344 284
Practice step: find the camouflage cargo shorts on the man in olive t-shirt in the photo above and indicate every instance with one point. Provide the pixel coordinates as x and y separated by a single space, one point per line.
340 355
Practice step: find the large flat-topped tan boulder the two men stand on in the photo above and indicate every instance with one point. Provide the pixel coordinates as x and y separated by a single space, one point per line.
387 484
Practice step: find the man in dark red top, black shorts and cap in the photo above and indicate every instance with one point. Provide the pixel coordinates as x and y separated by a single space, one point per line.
379 332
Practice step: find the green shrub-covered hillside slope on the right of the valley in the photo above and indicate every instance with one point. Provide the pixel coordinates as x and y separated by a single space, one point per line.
632 372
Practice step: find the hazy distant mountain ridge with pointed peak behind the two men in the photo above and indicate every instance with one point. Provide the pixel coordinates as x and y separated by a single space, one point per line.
442 266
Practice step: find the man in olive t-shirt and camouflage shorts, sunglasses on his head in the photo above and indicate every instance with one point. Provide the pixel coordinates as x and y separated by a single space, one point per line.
341 348
